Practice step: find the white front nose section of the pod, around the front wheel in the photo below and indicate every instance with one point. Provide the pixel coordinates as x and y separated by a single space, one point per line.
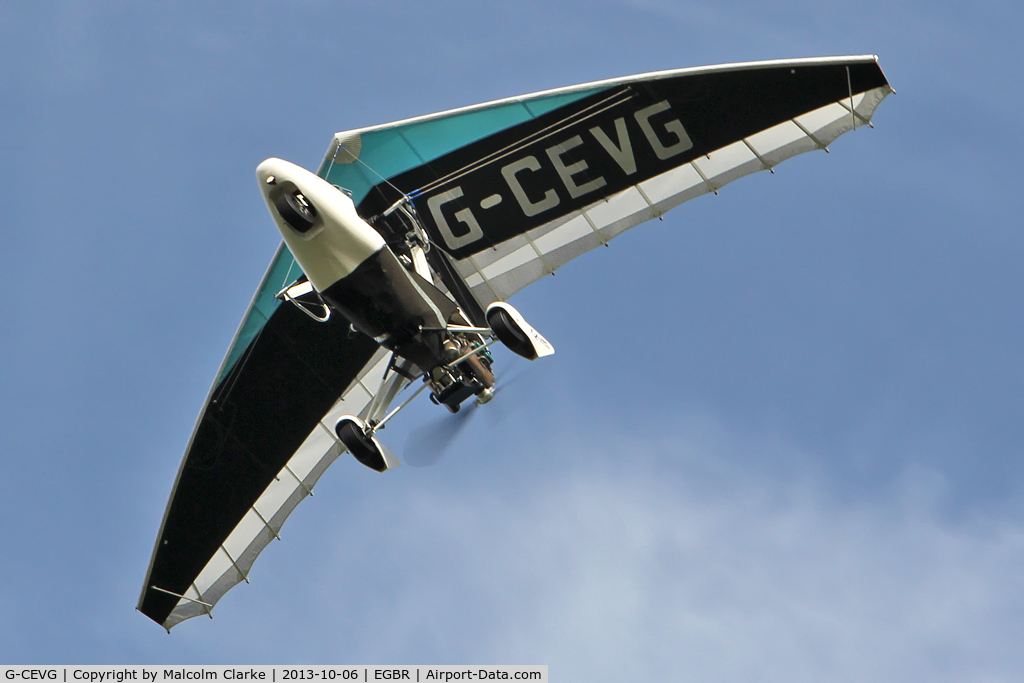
318 221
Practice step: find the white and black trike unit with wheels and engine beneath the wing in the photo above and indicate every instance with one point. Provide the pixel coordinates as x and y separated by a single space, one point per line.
386 291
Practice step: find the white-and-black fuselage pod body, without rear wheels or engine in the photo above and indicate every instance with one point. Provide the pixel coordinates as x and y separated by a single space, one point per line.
349 263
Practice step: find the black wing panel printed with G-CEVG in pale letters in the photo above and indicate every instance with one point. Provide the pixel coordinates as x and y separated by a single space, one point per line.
566 160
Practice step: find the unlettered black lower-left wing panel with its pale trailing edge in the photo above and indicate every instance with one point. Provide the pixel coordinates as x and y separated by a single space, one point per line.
257 419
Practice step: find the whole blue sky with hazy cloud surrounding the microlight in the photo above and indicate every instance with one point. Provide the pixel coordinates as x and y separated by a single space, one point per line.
781 439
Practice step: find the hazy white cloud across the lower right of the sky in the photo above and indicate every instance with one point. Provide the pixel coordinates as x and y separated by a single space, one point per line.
701 571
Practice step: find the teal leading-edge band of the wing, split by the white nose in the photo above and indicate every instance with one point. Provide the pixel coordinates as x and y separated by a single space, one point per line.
386 152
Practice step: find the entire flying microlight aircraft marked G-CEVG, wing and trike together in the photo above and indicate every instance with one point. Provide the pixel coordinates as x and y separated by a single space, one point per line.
400 255
